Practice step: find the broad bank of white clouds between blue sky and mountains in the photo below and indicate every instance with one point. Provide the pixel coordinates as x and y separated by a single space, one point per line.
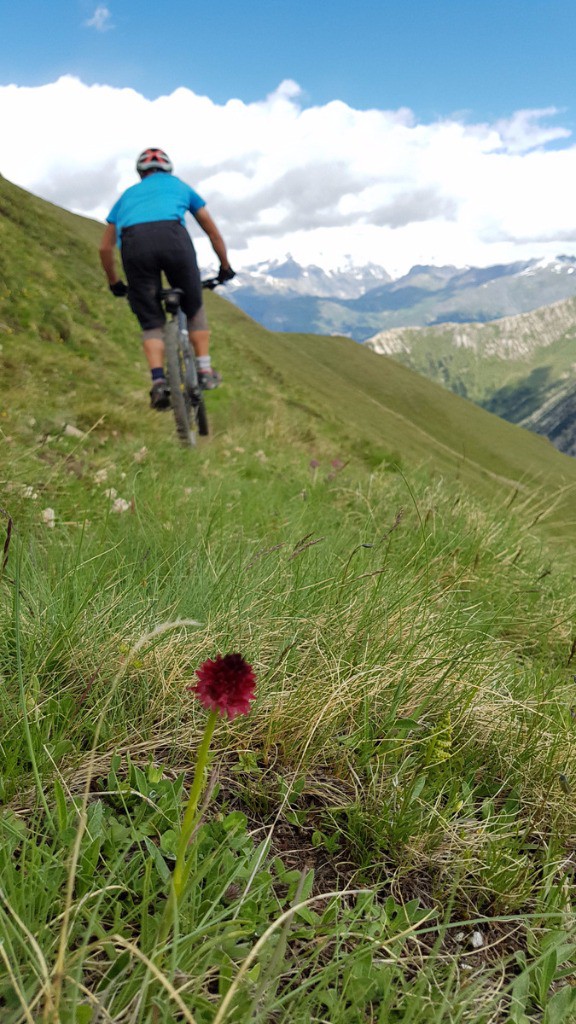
323 183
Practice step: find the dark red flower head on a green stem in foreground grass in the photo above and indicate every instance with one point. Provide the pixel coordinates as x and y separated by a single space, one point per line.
226 685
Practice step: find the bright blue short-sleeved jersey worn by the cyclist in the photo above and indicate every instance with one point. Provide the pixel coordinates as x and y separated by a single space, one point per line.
158 197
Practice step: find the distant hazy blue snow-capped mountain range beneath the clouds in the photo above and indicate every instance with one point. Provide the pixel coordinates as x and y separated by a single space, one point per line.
362 302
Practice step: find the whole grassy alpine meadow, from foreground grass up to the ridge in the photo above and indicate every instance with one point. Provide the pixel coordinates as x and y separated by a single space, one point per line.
383 828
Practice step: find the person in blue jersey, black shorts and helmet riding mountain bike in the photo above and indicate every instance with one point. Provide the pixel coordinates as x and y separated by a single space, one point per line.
148 225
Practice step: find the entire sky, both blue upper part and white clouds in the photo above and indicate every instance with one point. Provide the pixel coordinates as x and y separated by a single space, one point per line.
416 132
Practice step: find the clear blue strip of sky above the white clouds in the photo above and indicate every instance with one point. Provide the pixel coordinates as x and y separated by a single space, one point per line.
482 58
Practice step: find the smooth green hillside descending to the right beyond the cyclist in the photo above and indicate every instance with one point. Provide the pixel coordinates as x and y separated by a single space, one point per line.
383 413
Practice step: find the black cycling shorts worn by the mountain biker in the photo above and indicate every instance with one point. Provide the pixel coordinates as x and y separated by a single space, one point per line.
147 251
